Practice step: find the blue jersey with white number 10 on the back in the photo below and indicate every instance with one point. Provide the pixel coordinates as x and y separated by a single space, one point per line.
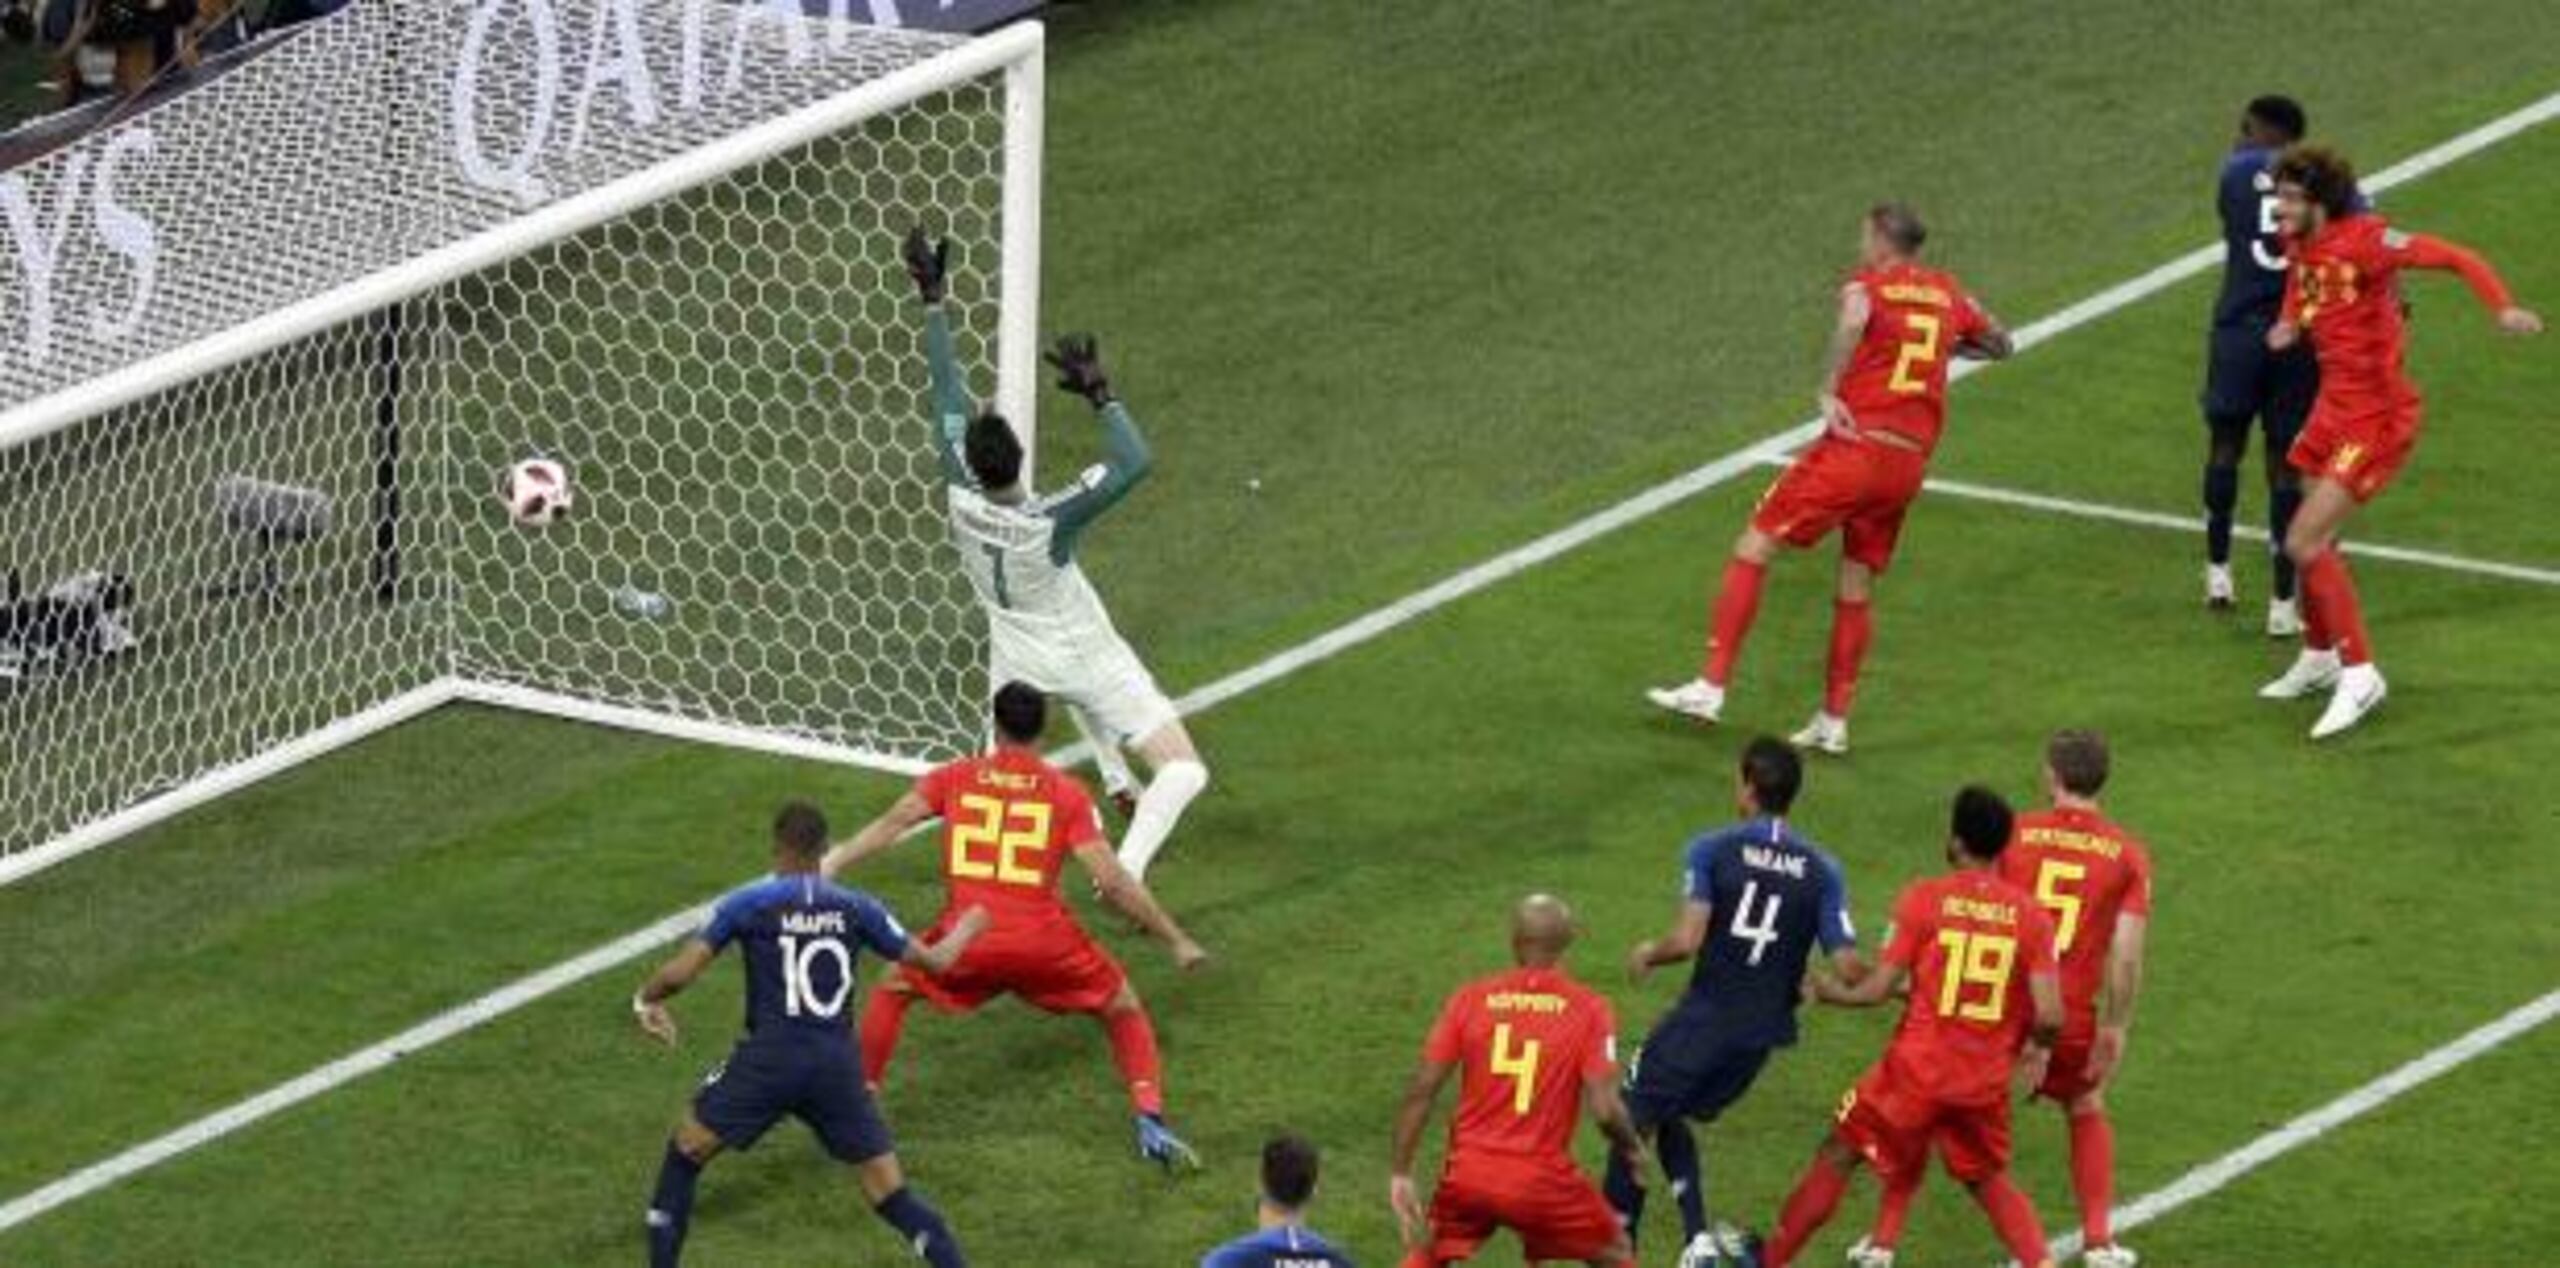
800 939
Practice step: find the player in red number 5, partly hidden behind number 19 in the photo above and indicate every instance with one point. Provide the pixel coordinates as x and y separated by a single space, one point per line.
2095 882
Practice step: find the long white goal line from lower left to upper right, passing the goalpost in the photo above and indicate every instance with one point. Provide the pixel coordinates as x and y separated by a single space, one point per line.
1245 680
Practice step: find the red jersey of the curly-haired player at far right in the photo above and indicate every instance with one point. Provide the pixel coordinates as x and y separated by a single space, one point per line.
2344 291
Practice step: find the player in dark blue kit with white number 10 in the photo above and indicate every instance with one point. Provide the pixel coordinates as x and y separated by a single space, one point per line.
800 936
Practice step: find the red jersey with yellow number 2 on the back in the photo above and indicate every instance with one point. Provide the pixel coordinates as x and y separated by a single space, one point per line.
1896 380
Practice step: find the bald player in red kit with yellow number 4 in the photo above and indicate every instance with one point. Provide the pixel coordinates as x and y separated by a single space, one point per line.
1535 1052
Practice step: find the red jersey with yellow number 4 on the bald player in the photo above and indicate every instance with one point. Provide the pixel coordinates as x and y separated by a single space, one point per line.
1524 1046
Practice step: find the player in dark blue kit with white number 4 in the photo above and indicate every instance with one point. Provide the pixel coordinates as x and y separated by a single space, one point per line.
1757 898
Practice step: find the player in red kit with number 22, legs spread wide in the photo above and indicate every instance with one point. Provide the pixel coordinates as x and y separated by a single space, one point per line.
1010 824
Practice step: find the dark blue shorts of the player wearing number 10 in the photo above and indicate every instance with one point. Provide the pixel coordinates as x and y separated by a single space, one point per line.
815 1082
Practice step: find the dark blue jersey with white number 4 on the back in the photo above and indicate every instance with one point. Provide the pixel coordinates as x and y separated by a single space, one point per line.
1770 900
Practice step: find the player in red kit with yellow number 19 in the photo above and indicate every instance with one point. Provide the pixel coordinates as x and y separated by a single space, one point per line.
1985 1003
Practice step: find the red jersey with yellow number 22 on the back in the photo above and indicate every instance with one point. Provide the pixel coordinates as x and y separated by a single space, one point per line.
1010 821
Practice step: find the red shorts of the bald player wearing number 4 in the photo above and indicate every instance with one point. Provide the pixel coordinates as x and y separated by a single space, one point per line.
1555 1210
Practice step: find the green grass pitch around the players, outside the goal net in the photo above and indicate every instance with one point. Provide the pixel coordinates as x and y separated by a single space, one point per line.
1443 278
